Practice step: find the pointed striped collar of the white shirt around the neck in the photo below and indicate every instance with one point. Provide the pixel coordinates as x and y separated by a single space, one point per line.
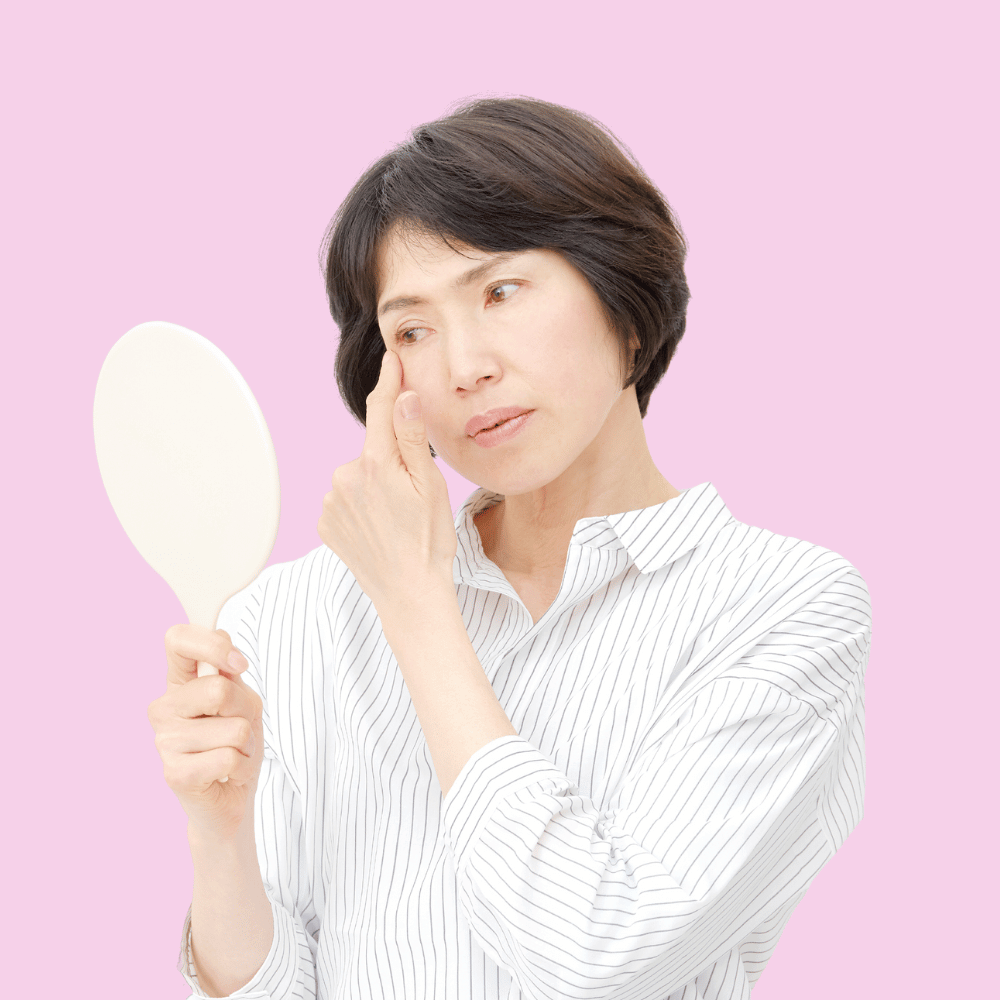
653 536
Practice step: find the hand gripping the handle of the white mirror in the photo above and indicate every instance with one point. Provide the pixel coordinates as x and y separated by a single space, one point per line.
209 728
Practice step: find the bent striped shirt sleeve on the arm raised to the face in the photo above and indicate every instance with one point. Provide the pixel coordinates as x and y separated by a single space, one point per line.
719 821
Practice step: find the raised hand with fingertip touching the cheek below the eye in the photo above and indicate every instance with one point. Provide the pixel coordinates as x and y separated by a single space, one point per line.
388 516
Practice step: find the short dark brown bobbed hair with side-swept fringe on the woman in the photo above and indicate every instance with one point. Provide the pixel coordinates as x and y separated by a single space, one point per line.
502 174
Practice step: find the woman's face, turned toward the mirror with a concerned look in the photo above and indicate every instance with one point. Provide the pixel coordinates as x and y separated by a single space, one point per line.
526 330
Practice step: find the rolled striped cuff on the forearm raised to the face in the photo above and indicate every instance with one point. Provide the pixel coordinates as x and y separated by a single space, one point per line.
493 773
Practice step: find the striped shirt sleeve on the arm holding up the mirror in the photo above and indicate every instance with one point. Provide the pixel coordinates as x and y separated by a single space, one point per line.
289 971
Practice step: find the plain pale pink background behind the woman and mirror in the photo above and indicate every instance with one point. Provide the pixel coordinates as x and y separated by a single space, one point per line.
833 168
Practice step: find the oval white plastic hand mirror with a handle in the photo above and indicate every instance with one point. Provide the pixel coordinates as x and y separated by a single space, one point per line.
188 464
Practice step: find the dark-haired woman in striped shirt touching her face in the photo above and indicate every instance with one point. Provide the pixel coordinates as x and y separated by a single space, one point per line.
593 737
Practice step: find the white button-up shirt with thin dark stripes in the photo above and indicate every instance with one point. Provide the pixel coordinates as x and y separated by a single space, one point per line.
690 712
